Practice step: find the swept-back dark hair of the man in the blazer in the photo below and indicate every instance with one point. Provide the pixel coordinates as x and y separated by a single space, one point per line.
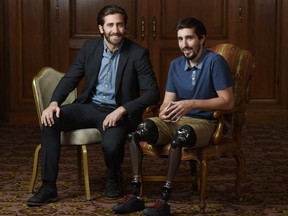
108 10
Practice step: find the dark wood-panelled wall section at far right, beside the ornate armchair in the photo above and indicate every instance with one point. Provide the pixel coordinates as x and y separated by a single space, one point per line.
269 45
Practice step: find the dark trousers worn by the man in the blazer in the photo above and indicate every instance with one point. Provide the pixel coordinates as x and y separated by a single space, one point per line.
76 116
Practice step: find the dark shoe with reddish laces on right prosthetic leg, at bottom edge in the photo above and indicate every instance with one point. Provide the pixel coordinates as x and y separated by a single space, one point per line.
160 208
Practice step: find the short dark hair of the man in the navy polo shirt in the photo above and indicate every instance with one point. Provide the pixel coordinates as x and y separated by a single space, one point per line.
190 22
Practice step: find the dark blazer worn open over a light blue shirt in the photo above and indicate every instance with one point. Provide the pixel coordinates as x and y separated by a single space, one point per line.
136 85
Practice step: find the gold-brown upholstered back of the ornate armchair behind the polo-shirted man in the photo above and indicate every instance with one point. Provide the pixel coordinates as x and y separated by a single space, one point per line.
241 63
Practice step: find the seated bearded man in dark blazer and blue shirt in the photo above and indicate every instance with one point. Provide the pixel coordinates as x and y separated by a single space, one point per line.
119 85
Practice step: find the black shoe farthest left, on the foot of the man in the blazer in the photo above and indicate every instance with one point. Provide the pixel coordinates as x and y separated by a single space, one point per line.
45 194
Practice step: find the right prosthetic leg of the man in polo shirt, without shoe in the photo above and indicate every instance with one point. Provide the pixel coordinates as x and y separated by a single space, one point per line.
185 136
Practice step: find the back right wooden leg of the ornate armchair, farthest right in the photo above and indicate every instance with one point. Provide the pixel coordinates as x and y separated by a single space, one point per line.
240 160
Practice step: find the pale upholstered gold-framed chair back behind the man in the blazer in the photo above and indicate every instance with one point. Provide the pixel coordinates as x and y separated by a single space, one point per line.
43 85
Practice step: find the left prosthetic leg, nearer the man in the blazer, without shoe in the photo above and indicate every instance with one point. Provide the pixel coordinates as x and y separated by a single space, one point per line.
146 131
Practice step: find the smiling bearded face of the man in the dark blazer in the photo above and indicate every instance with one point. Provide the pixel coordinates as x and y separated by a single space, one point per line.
113 30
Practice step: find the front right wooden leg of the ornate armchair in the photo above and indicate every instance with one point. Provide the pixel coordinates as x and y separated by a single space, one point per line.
203 182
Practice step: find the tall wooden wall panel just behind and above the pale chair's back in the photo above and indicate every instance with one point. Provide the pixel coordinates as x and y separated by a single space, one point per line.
33 50
